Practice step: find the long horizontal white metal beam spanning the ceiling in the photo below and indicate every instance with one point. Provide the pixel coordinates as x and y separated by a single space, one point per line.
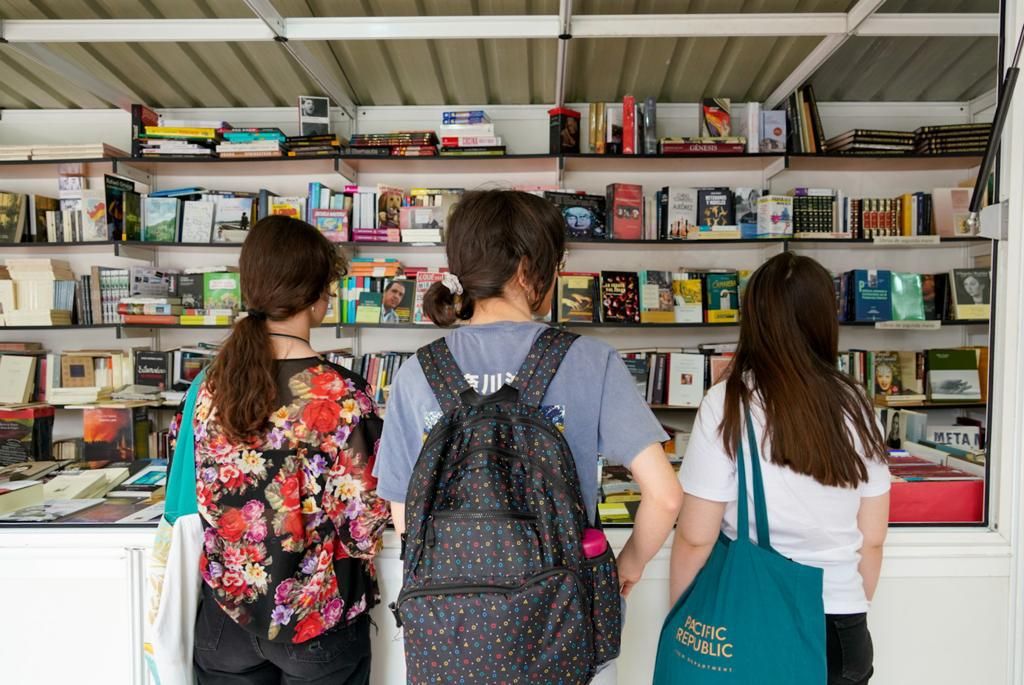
860 22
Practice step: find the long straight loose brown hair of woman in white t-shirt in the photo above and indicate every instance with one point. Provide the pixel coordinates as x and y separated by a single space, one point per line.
789 347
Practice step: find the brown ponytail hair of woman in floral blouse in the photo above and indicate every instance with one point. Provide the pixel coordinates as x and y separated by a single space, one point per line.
286 266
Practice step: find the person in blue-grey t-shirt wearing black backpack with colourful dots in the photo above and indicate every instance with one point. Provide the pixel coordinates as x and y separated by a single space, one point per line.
490 459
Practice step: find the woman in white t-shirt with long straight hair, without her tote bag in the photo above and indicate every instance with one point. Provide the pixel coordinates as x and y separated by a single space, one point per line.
826 479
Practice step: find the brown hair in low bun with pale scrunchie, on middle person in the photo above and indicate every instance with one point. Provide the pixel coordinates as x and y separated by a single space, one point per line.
490 235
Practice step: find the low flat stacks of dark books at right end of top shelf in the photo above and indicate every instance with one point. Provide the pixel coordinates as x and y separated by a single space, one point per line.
953 139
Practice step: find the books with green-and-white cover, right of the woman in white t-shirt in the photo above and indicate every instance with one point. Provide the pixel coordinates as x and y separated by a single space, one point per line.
895 378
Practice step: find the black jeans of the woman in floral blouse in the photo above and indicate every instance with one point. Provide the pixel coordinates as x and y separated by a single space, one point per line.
228 655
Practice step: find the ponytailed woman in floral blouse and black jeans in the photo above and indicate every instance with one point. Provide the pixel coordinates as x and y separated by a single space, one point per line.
285 449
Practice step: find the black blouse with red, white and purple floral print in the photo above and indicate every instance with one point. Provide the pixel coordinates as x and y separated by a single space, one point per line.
292 520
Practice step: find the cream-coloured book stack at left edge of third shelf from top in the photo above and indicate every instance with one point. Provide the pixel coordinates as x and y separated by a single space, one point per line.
45 292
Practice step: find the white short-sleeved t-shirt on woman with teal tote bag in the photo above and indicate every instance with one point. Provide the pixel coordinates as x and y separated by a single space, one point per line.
810 524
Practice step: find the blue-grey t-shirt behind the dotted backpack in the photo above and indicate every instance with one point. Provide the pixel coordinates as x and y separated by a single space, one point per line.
592 398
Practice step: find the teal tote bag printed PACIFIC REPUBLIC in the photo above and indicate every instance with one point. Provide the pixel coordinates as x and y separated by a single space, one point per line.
751 616
